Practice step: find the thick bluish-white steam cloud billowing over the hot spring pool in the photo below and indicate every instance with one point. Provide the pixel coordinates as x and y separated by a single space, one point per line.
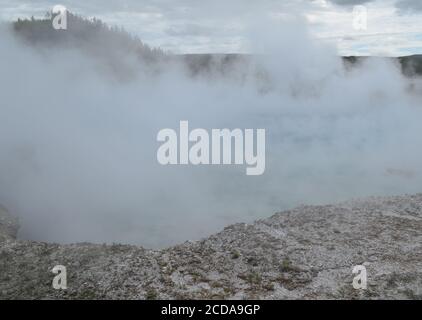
78 147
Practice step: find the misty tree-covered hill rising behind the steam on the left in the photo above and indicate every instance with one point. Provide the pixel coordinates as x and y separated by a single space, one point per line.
110 46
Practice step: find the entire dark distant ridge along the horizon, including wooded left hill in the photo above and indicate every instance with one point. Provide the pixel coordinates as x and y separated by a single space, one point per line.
112 43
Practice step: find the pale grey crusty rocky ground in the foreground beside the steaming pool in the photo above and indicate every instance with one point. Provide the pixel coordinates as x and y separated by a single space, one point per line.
308 252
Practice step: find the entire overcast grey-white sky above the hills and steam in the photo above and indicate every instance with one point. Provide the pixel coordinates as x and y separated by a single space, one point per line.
394 27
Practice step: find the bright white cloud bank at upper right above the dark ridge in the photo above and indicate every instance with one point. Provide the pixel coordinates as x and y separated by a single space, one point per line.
388 33
